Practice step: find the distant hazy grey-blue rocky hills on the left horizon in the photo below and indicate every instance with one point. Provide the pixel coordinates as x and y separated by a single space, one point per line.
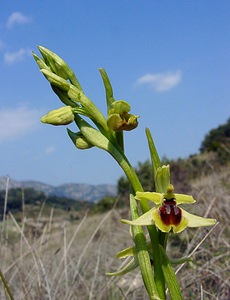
76 191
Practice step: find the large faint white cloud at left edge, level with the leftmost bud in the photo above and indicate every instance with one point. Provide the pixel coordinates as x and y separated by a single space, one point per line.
16 122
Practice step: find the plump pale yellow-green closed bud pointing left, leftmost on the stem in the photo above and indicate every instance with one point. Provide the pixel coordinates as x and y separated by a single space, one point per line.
61 116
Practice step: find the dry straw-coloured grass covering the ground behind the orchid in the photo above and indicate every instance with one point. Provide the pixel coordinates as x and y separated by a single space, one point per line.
51 258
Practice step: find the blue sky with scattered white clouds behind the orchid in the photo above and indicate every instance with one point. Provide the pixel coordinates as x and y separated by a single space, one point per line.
169 59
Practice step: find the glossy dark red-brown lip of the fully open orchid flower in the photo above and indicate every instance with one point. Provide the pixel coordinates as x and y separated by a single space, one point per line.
170 213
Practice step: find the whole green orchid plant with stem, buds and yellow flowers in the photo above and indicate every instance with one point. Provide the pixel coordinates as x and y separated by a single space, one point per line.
107 133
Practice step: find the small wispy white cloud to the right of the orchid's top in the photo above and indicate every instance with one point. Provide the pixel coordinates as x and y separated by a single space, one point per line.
161 82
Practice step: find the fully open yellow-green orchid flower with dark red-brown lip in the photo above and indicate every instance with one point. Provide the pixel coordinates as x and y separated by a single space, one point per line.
167 214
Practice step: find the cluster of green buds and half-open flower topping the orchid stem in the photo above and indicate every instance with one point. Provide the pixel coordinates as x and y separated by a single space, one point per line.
77 105
